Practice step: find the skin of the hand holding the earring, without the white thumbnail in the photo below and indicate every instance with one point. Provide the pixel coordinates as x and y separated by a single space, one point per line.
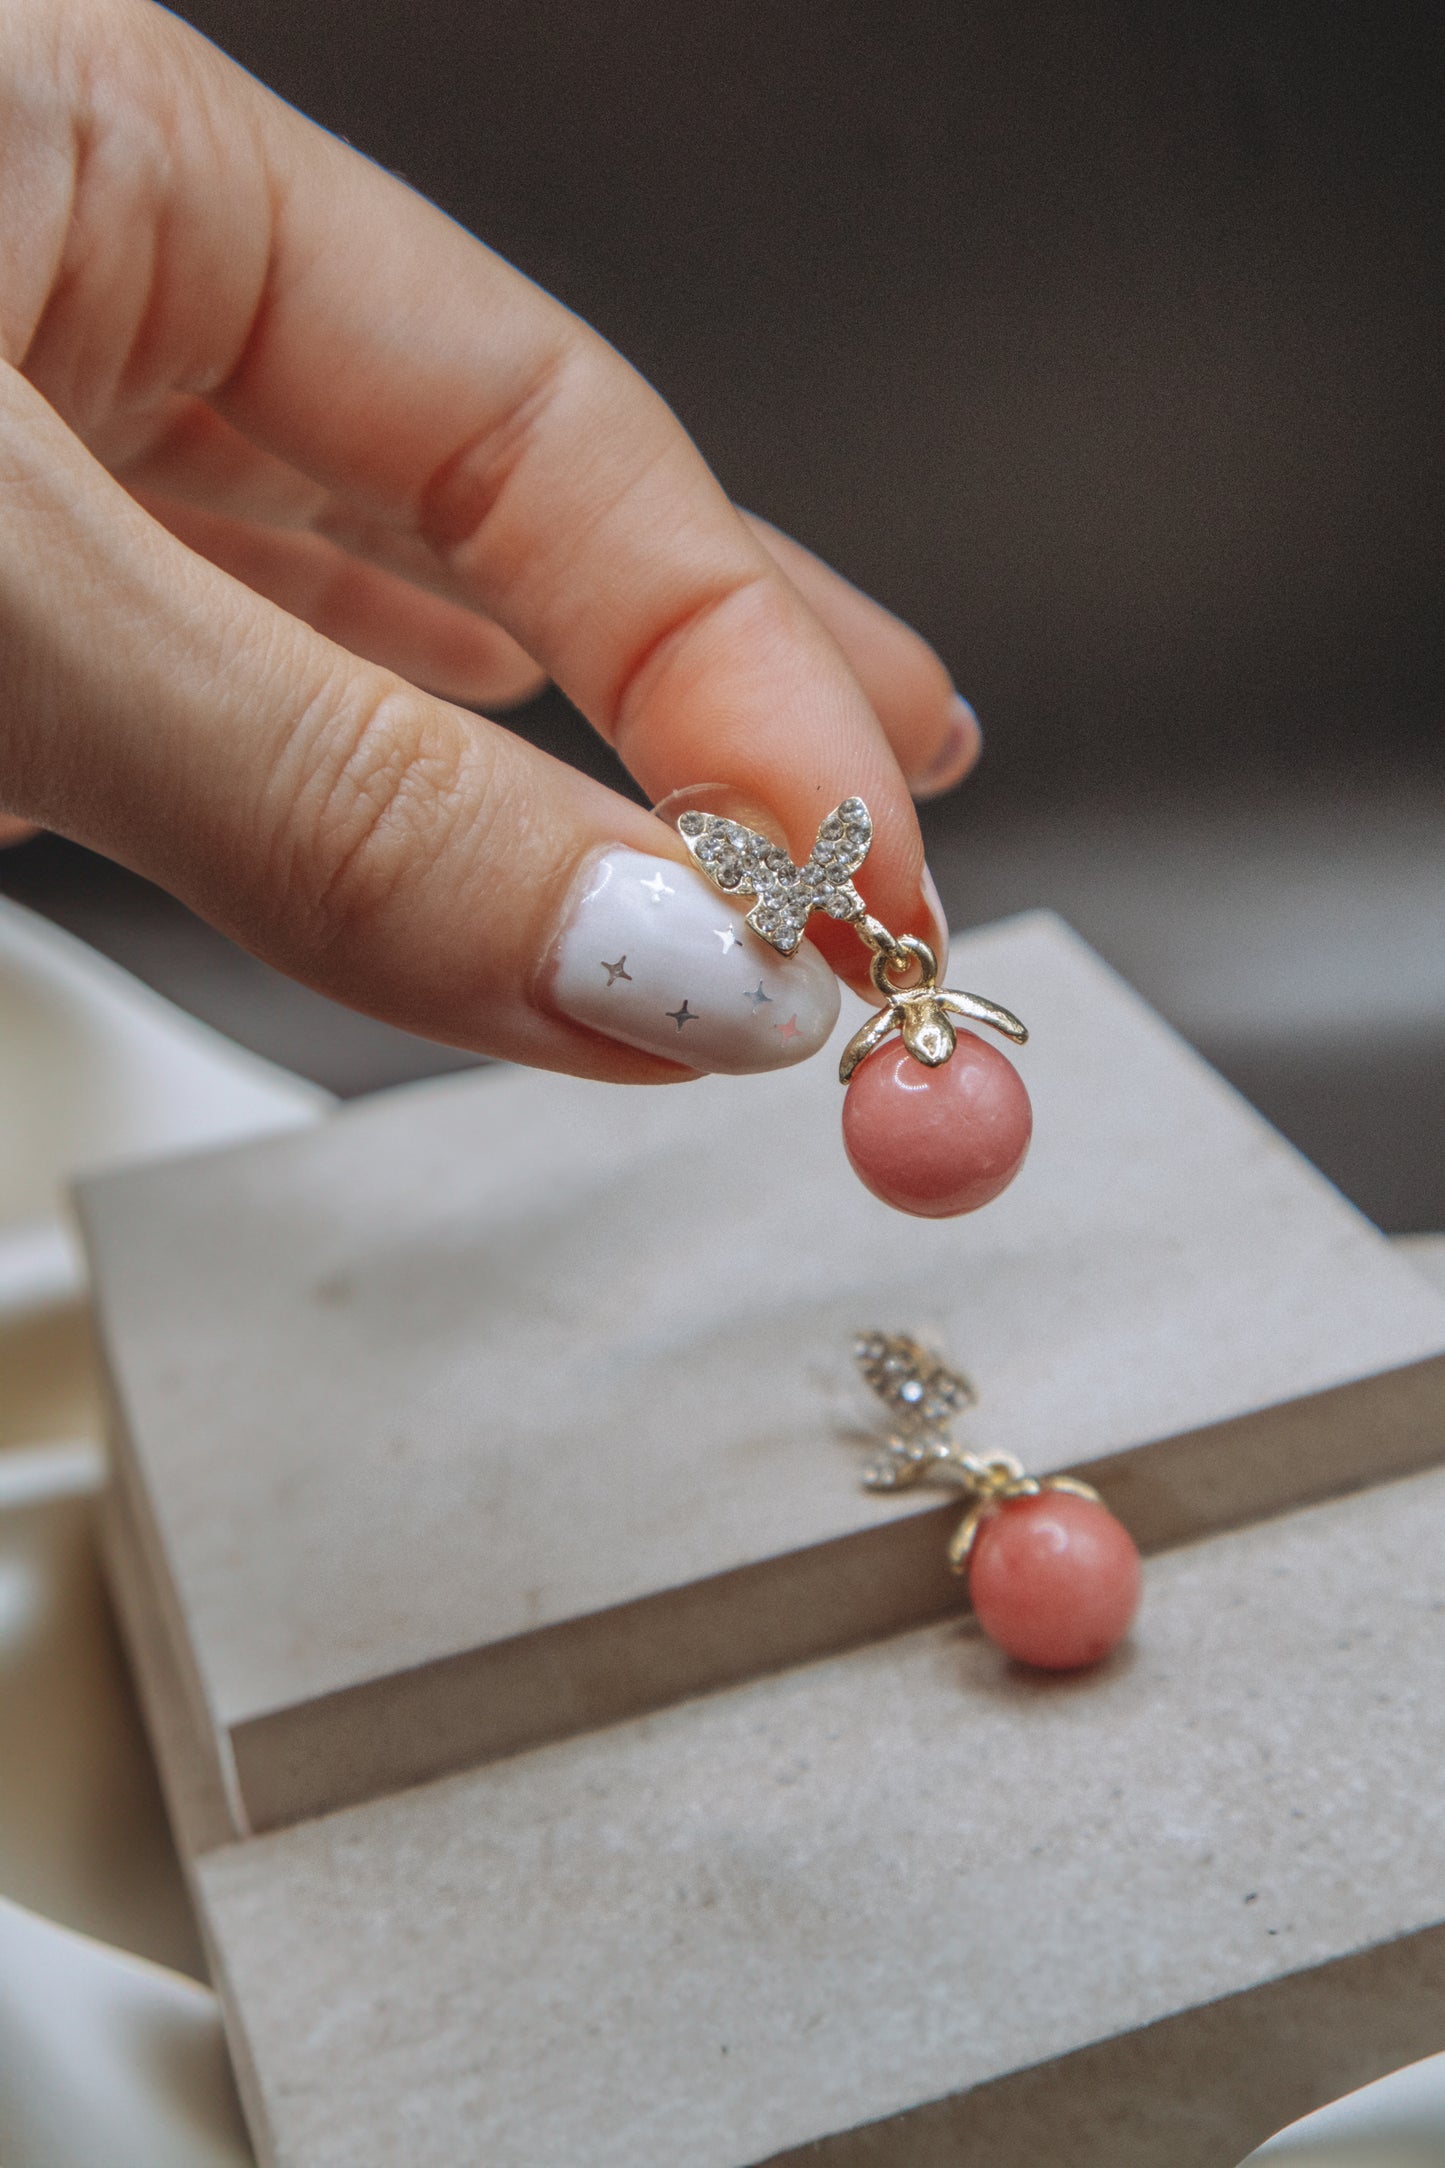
281 446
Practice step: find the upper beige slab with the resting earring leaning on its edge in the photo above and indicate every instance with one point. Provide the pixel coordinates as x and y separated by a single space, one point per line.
510 1406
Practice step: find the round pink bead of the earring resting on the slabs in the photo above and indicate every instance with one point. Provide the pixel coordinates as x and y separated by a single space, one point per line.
1054 1579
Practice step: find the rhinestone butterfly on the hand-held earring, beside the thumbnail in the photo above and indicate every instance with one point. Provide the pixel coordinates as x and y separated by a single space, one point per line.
748 864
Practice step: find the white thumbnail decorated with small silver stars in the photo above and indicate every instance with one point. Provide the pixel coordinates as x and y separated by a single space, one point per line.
655 957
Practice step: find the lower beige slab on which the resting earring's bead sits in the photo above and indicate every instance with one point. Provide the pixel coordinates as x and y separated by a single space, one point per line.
820 1900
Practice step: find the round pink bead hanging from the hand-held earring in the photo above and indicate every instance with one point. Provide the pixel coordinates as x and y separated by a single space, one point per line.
937 1141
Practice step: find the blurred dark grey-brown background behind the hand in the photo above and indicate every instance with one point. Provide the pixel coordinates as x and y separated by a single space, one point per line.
1106 344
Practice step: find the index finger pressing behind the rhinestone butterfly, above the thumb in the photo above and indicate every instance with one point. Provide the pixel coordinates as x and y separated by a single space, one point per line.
352 328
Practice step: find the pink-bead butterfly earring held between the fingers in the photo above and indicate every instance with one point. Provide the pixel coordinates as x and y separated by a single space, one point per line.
939 1124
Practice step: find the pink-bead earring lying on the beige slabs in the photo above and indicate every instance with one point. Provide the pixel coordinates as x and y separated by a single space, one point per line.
1054 1577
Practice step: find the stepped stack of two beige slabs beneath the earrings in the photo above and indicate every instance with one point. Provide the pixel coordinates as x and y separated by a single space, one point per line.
517 1410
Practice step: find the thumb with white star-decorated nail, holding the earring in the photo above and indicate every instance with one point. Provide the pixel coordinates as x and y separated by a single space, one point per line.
378 844
